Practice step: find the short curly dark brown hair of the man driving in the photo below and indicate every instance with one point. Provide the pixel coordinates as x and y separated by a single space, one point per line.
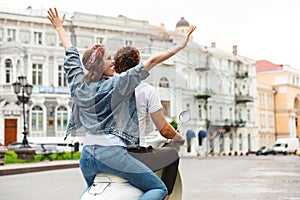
125 58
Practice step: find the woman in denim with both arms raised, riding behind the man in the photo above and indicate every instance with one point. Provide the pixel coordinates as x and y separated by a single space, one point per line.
106 108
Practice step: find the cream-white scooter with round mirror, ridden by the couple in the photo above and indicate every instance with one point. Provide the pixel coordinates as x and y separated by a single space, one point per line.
112 187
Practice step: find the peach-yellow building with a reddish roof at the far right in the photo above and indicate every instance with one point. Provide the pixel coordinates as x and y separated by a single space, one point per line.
285 81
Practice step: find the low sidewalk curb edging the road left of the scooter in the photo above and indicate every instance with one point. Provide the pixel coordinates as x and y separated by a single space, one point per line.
10 169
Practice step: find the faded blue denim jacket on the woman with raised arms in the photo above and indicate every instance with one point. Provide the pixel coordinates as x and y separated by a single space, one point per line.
107 106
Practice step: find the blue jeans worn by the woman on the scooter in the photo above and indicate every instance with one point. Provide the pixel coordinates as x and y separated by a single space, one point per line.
116 160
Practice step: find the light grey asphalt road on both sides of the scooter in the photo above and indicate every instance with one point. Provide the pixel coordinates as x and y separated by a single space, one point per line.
212 178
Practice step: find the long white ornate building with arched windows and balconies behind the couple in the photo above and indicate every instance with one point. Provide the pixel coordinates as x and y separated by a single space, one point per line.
216 86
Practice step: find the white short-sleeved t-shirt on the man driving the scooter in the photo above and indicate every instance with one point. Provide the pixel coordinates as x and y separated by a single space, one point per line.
147 102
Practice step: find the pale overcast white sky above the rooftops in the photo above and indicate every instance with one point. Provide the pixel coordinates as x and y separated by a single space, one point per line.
262 29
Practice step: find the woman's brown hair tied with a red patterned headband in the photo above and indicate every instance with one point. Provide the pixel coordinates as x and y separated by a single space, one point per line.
95 70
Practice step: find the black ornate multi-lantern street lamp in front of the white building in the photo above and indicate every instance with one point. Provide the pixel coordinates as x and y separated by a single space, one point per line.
23 90
